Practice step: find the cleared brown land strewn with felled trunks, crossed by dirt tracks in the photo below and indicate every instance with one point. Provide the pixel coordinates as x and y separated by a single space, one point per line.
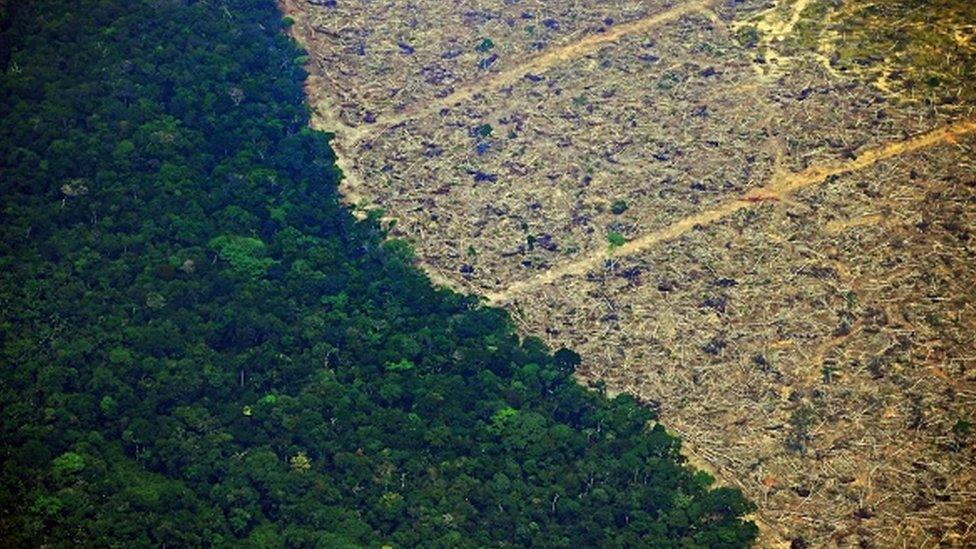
757 217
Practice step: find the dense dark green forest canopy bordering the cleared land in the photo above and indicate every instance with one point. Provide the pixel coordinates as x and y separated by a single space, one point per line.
201 346
